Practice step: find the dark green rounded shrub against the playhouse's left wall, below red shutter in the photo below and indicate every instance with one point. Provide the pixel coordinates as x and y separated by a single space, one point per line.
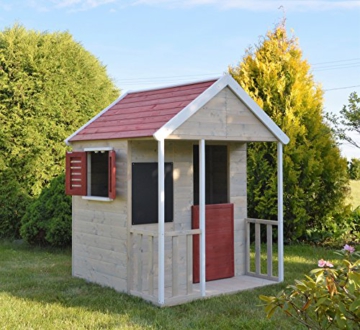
47 220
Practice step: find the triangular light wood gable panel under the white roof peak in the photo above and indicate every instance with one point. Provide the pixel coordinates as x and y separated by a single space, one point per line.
225 117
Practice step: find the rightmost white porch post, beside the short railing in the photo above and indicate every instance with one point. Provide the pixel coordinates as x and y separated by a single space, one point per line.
280 212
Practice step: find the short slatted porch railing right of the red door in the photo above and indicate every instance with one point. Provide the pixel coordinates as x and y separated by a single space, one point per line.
269 248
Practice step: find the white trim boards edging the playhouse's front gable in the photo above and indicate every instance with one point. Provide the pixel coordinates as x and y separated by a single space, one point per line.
206 96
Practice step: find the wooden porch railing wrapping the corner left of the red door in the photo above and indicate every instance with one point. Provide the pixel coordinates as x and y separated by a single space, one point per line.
143 255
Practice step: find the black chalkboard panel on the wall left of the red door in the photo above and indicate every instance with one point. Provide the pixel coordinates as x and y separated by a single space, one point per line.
145 193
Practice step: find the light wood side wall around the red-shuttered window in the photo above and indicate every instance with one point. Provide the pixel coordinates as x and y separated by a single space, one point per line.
99 243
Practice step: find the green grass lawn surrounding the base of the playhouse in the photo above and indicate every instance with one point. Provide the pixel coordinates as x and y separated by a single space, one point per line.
38 292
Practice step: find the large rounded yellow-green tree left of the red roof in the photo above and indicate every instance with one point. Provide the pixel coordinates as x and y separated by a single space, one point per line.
49 87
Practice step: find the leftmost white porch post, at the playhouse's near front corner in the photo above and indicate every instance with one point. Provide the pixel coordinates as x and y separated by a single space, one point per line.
161 224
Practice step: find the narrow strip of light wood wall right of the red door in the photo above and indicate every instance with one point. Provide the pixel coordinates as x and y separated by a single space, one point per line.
237 184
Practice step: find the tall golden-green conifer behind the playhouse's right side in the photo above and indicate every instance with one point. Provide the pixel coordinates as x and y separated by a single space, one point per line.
315 179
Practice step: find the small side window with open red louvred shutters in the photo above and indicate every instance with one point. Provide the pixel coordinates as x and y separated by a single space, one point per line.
91 173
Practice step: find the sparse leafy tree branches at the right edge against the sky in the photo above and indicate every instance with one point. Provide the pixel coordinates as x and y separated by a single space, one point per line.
349 121
